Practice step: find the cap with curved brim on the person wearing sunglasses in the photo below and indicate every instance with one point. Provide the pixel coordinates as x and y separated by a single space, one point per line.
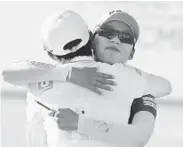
122 16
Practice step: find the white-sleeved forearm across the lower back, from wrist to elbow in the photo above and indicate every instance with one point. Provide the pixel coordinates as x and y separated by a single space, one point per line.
118 134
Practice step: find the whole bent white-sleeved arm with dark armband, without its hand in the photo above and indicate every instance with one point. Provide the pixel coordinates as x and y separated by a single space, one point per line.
137 134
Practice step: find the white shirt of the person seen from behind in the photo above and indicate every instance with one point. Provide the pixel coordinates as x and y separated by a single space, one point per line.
112 106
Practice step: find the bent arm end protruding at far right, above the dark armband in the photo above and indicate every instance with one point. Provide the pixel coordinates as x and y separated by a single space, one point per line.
157 86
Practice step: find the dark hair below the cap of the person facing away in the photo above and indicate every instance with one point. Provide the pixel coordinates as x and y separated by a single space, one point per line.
83 51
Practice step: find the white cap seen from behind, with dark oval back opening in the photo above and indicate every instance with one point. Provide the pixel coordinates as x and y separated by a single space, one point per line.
61 28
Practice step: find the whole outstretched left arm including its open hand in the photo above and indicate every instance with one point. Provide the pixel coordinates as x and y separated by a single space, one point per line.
25 72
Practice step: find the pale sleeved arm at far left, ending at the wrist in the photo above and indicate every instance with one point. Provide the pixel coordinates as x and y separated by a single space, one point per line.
25 72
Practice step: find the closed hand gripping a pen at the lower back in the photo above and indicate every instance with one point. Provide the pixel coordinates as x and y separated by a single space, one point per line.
67 119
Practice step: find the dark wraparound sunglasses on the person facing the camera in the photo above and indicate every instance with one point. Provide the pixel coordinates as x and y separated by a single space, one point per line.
109 33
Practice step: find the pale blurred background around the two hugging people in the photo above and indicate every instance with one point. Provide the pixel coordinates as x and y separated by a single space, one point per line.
158 51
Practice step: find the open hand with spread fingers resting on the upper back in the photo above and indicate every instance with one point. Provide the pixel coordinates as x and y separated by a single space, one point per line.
91 79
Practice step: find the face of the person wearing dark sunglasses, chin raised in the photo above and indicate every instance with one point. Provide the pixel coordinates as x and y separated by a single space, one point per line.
113 42
